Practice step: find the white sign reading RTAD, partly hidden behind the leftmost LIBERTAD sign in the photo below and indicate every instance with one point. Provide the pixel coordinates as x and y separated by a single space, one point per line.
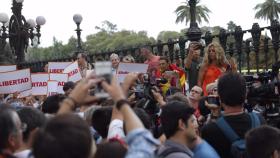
40 83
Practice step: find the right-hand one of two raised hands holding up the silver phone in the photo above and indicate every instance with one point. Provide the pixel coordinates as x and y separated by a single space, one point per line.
114 89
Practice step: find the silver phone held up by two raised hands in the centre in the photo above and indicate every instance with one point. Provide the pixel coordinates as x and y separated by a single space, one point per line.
103 70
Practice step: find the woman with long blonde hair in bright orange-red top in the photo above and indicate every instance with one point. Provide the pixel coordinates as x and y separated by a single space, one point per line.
213 66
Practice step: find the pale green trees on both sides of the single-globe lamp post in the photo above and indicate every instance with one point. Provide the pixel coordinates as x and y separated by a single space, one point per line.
108 38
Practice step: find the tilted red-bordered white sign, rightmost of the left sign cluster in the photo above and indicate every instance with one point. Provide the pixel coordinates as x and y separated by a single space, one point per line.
73 72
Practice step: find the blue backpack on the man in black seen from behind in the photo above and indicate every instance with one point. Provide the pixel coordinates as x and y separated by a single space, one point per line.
238 145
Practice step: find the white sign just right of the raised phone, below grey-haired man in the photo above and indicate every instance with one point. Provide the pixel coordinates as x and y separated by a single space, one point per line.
126 68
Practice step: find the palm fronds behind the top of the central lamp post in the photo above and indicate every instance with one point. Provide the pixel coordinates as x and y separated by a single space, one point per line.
183 13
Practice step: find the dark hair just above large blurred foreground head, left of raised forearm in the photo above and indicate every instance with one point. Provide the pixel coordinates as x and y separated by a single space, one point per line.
51 104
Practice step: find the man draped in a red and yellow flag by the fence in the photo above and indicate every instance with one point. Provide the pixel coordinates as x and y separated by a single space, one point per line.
175 76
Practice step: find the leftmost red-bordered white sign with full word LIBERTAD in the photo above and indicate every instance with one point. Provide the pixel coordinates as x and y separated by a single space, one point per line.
15 81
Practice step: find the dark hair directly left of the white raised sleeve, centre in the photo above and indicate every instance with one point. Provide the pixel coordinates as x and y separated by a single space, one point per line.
101 119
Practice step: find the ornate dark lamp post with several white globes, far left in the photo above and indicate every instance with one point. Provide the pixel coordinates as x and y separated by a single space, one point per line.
19 32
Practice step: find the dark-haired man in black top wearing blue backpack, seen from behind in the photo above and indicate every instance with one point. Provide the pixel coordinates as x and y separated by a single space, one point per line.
232 93
